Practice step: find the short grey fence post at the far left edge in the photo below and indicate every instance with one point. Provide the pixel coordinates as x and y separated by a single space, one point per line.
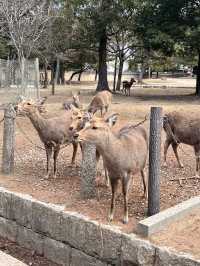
8 140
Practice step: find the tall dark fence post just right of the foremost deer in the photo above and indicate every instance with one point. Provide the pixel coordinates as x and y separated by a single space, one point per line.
154 161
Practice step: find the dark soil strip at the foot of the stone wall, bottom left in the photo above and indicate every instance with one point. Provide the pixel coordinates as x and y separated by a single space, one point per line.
25 255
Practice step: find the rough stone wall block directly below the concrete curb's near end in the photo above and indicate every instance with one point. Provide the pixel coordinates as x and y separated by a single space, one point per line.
137 251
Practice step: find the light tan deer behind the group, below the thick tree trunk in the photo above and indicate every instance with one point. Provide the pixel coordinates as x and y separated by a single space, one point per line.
101 101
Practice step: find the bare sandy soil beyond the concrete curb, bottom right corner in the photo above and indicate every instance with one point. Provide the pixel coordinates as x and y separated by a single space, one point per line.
182 235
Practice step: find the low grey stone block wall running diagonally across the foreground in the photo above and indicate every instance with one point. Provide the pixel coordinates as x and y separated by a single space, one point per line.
71 239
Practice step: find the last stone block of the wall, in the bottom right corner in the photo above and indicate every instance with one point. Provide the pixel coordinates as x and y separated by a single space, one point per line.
165 257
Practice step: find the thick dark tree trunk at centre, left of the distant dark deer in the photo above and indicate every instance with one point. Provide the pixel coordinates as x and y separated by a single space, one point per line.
103 81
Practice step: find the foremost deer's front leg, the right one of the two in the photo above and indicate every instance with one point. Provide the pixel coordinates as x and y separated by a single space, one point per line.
125 189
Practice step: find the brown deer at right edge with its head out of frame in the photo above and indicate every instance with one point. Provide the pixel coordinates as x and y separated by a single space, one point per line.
180 128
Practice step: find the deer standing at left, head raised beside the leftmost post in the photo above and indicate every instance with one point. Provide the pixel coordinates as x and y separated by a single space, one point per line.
53 132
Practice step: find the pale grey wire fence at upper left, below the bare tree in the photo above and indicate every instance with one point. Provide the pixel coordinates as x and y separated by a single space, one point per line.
16 80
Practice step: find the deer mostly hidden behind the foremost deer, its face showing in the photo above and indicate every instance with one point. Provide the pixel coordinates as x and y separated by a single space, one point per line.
79 121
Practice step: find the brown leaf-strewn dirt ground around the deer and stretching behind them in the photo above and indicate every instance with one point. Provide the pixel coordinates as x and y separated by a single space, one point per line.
30 161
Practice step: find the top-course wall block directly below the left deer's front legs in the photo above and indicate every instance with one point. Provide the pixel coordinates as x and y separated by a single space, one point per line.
46 219
